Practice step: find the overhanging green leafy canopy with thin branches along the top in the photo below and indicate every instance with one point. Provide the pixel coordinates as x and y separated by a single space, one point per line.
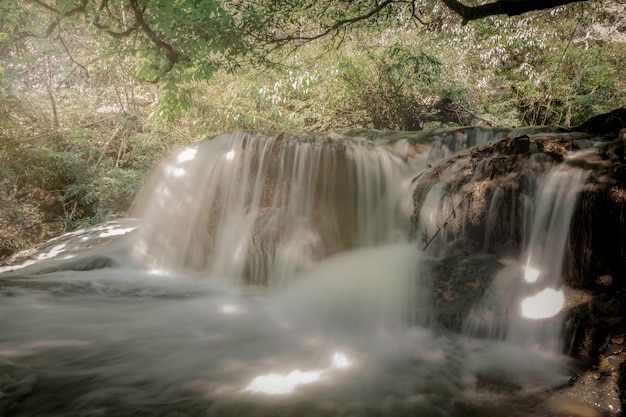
175 41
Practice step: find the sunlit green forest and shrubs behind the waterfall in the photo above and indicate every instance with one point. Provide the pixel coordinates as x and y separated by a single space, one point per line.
93 93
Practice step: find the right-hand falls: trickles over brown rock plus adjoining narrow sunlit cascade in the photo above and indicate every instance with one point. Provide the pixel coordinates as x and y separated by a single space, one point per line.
531 203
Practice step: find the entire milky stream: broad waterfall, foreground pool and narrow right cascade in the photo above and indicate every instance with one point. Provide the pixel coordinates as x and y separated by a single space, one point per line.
274 275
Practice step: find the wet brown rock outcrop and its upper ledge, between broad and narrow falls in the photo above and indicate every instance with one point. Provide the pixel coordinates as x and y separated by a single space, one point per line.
488 190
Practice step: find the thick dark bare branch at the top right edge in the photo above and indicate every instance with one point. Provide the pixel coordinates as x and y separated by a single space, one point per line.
507 7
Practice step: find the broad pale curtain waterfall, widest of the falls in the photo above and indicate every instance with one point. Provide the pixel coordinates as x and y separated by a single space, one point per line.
260 207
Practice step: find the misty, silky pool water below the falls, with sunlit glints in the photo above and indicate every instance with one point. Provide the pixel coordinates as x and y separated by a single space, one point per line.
124 342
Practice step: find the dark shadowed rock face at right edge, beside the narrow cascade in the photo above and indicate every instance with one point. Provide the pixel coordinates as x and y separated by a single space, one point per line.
596 258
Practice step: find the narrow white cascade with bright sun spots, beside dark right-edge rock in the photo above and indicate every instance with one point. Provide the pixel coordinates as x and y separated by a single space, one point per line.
523 303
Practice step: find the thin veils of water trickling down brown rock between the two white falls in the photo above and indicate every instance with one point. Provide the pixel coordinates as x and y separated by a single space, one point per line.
480 199
